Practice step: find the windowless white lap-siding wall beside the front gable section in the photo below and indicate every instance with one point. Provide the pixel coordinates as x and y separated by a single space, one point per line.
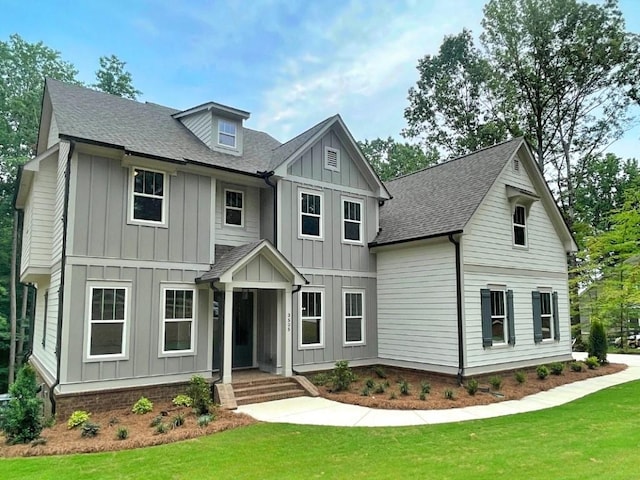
417 304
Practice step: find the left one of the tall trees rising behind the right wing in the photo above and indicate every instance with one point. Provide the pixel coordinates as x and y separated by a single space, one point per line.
458 104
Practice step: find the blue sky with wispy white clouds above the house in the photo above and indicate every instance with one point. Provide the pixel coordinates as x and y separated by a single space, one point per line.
291 63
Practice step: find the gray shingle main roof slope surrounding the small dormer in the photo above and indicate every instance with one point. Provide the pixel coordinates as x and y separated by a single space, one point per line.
147 128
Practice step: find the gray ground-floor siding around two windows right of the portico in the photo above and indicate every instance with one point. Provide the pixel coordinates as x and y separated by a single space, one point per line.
333 349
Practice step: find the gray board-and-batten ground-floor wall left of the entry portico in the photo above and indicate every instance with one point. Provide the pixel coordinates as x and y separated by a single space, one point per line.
144 326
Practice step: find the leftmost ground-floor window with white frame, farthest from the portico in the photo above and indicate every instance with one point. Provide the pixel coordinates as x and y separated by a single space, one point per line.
107 321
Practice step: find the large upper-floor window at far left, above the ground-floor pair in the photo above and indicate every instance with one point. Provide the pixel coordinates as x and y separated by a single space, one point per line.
148 202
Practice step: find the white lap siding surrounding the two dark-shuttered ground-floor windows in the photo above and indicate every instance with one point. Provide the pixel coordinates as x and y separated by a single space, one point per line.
525 350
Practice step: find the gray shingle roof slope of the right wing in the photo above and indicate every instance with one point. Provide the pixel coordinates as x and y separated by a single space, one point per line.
441 199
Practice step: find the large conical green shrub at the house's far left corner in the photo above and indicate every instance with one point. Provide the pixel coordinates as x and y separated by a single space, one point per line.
21 417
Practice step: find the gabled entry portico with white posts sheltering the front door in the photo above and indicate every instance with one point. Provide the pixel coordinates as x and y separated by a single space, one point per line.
254 284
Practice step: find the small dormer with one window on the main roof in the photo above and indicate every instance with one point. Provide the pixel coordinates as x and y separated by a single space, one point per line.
220 127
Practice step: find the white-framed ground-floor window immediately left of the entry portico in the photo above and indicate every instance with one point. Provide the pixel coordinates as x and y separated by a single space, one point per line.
178 314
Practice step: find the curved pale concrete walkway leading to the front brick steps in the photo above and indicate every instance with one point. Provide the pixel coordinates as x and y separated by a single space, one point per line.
320 411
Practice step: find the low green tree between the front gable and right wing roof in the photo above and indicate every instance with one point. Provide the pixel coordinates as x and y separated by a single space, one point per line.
391 159
